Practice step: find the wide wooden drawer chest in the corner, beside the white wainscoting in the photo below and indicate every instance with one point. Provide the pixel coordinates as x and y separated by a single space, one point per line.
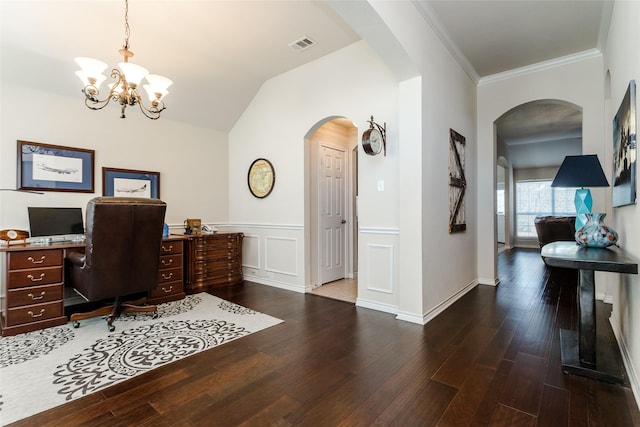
214 260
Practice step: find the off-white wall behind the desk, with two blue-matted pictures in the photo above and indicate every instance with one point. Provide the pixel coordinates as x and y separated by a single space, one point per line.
192 161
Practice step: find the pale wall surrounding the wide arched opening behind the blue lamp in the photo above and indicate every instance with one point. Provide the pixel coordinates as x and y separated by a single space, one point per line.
575 82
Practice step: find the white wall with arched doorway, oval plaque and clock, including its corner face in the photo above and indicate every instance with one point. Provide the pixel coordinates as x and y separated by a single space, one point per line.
403 229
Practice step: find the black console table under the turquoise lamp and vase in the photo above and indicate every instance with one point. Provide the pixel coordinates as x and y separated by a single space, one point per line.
579 348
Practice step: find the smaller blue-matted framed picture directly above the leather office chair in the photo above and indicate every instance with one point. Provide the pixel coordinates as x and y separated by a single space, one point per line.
130 183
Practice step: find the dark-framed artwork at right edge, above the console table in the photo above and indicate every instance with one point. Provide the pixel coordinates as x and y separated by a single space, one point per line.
624 150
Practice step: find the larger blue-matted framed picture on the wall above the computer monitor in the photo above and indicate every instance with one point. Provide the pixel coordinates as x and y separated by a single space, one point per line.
47 167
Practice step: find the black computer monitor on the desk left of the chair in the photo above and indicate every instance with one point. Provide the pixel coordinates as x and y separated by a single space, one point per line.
56 223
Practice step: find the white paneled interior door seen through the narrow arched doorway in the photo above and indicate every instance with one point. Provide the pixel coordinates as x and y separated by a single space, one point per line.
332 186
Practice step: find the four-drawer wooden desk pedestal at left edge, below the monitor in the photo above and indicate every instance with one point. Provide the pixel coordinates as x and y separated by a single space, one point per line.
33 290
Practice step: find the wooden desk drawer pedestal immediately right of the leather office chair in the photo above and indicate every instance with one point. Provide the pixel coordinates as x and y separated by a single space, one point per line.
170 273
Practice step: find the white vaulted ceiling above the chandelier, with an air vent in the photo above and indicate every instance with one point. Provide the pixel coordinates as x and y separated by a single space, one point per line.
218 53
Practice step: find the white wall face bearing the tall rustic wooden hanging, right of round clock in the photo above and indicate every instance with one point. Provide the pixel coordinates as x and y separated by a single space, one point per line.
448 100
